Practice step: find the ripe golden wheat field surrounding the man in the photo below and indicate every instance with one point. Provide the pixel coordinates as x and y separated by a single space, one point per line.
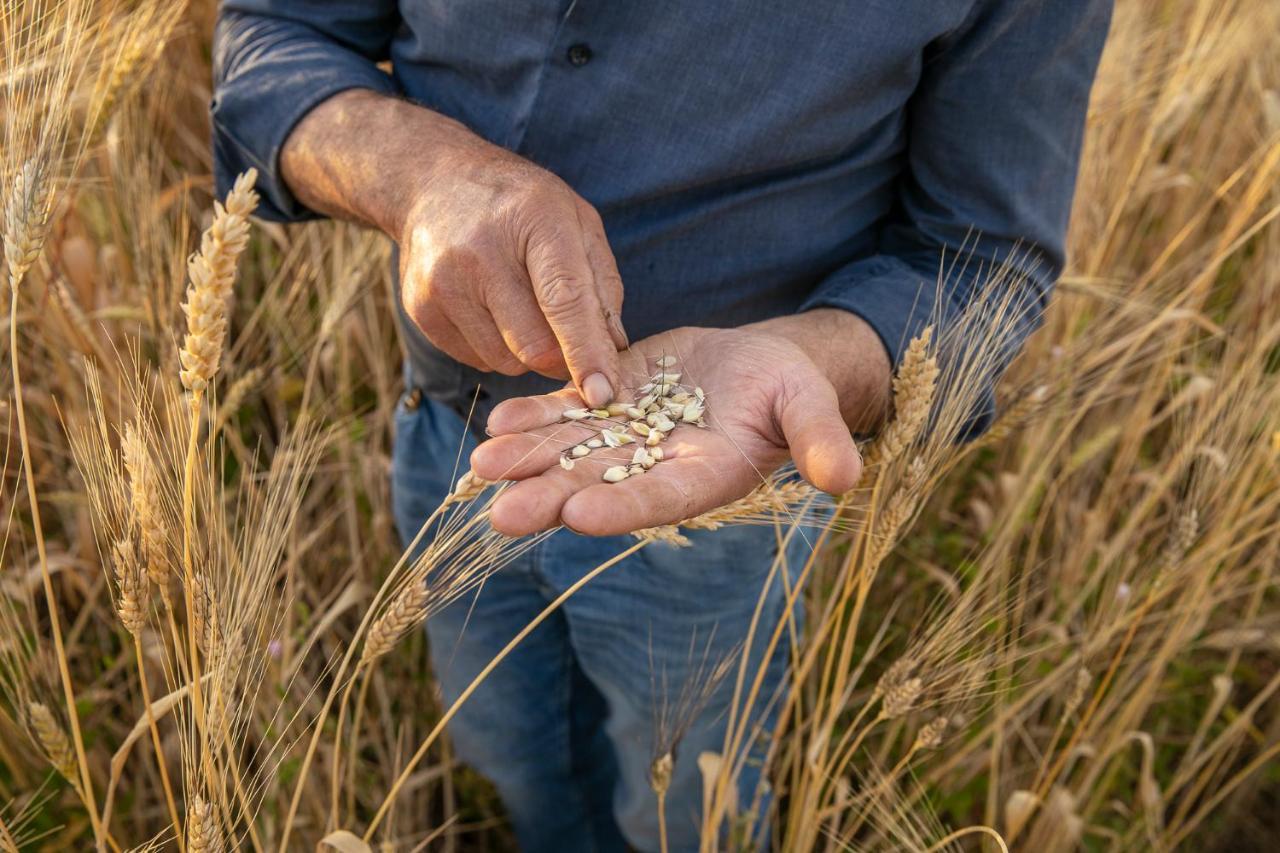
1063 636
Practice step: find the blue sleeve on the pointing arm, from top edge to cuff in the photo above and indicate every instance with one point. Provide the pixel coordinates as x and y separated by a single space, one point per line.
275 61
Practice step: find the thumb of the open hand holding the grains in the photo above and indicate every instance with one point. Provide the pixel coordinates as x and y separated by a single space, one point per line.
821 444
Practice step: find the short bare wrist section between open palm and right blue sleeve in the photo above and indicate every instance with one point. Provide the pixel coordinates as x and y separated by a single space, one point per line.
849 353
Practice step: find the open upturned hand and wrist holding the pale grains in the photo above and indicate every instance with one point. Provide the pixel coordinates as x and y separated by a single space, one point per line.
769 399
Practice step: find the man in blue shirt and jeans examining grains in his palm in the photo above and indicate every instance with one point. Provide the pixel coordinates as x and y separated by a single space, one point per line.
775 186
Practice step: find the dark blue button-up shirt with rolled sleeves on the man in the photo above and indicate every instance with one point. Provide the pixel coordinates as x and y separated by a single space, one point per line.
749 158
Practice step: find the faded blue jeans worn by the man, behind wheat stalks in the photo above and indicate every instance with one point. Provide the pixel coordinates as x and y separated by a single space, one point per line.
566 727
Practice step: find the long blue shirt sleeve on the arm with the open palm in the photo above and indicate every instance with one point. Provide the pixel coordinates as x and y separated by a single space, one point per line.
994 143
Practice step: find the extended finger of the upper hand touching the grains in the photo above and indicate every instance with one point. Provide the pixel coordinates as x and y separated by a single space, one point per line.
565 288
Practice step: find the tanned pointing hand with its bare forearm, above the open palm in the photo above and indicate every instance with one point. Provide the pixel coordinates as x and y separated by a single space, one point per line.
504 267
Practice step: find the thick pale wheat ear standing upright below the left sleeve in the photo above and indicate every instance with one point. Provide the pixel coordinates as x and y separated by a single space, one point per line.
212 273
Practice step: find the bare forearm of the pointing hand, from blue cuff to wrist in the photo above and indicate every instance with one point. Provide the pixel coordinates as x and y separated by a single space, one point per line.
365 157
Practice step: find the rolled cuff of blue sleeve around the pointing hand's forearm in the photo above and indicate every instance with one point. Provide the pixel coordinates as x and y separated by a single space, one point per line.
273 74
